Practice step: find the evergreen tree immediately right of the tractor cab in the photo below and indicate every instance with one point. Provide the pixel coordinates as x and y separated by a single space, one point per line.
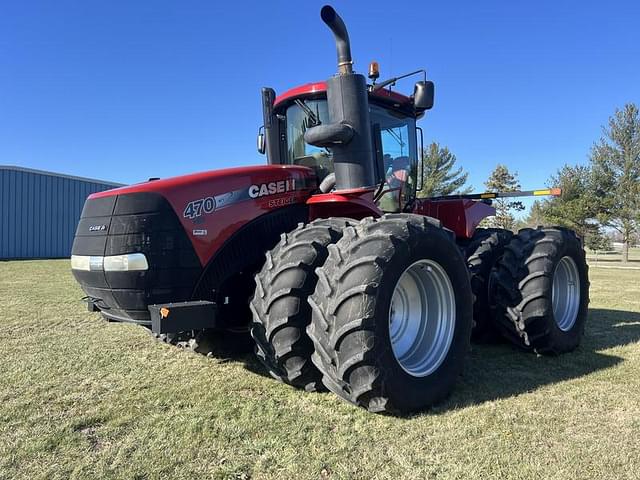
439 173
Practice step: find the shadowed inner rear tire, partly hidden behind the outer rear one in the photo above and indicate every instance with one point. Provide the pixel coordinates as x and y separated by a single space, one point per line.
482 253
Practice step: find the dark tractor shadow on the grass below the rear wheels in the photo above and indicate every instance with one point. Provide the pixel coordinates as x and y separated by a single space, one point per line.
493 372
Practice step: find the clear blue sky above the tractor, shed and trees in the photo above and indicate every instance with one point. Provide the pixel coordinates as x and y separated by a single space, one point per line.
124 90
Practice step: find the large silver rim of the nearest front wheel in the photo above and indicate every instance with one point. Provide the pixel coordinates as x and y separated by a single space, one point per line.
422 318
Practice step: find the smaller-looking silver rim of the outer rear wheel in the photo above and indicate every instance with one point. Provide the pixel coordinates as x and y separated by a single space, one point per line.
565 295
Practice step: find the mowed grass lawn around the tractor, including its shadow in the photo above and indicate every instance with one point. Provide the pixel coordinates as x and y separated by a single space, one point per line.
83 398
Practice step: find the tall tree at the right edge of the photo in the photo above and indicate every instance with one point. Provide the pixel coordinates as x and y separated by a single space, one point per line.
615 161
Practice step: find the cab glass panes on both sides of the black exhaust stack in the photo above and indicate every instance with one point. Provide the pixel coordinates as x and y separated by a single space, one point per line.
397 139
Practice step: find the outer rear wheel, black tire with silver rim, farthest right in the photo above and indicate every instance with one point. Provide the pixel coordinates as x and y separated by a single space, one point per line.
541 290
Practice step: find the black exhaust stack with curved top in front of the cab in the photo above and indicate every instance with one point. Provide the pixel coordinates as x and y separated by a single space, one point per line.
348 133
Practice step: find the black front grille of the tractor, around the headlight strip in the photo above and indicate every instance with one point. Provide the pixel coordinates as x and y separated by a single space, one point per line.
137 222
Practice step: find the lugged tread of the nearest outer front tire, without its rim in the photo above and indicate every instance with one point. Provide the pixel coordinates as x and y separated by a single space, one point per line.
345 346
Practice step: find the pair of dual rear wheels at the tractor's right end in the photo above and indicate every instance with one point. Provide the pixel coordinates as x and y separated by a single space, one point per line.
531 288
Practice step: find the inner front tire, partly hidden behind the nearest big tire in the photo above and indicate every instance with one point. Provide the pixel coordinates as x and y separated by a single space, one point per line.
280 309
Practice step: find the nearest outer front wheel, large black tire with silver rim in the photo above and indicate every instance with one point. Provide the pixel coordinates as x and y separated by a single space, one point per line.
360 290
